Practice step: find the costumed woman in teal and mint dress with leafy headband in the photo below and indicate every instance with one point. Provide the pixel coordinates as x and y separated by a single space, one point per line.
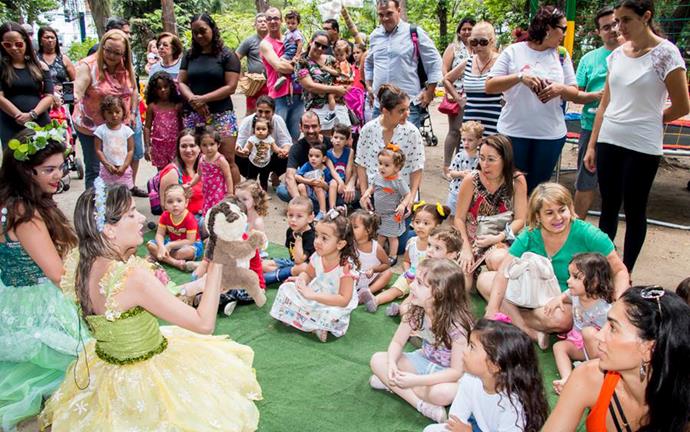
39 326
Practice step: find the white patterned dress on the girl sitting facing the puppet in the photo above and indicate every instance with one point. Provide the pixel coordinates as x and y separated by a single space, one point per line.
293 309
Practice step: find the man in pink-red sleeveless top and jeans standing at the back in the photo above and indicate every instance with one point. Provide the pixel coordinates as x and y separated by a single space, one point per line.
288 100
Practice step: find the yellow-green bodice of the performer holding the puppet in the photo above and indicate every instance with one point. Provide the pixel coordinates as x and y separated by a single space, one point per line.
132 337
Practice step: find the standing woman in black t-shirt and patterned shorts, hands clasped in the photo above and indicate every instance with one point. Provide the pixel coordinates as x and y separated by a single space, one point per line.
208 77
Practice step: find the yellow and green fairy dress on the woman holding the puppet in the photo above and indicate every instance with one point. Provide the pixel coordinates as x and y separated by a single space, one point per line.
148 378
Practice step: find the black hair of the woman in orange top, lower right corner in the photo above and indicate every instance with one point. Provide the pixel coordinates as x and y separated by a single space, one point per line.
666 322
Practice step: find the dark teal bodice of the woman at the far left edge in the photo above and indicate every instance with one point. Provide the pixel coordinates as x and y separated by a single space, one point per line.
18 269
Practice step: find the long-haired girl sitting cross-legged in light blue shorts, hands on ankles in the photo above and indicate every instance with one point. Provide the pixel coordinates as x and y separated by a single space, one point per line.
440 314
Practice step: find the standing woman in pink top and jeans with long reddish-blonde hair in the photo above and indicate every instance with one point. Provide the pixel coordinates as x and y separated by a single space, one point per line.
108 72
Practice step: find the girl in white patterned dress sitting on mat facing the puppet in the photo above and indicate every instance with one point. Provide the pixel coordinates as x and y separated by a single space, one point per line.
321 299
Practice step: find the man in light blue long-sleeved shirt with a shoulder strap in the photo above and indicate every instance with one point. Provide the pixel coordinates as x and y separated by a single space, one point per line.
393 58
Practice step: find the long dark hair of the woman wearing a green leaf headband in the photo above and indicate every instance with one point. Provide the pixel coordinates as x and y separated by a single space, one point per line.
23 197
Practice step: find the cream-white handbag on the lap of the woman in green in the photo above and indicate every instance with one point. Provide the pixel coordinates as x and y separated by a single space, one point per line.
531 281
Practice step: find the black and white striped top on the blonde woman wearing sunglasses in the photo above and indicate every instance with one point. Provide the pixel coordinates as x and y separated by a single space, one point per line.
481 106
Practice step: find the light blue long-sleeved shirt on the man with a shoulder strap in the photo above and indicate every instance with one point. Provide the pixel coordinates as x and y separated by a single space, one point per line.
391 59
